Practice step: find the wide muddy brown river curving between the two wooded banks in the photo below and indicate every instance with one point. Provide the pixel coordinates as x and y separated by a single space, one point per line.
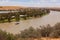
51 19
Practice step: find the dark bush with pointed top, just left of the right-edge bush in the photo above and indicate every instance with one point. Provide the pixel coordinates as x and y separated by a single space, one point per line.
45 31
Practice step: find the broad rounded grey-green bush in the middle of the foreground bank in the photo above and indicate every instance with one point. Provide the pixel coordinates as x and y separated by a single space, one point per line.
30 33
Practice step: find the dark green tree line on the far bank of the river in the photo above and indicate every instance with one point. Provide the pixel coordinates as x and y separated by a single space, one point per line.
26 12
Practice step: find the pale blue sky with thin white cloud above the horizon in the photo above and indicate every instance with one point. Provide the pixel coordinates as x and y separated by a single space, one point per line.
31 3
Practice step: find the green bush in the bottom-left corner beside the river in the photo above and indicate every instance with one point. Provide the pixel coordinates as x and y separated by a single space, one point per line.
6 36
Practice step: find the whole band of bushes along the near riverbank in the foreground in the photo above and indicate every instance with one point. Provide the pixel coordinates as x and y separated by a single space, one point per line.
30 33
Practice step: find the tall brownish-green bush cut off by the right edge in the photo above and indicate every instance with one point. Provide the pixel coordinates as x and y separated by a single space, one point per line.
56 31
